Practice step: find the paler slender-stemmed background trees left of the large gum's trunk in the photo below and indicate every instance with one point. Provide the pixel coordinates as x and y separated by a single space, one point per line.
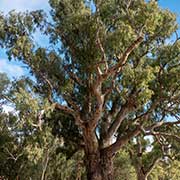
28 150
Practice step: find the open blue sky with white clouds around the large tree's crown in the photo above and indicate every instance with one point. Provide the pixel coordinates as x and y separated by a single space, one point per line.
15 69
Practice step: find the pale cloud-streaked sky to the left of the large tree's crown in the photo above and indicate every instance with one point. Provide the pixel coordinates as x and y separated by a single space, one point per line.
14 68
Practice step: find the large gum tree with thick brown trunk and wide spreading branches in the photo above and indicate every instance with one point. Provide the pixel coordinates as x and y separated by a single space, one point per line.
108 70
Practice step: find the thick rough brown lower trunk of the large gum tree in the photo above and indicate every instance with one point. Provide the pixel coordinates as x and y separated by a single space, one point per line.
99 165
